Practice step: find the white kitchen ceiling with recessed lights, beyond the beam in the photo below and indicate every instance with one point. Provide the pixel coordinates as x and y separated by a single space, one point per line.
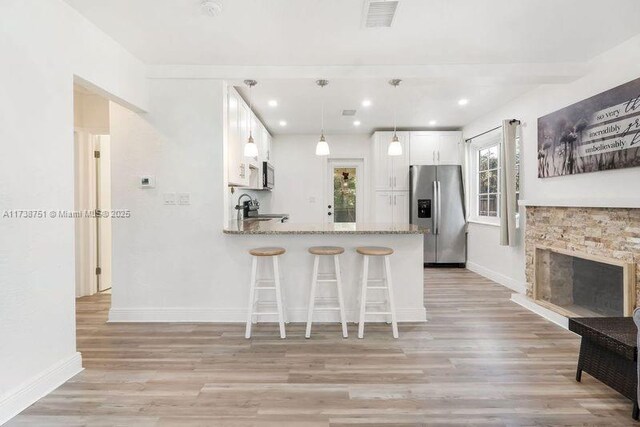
418 102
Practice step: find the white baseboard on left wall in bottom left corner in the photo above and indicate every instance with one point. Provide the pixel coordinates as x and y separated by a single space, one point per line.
20 398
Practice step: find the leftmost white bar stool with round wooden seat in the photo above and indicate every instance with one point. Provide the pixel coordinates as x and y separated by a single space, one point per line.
273 253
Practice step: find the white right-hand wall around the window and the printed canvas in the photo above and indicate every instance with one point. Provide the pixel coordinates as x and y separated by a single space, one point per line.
616 66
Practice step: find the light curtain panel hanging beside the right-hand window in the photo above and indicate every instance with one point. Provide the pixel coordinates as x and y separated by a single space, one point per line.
508 183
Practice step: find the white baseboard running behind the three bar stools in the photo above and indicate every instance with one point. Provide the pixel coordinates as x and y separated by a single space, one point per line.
219 315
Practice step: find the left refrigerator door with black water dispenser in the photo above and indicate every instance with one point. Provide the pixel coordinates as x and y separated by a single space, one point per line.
422 206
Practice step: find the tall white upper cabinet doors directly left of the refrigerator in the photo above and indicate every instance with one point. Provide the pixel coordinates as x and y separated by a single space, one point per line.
391 173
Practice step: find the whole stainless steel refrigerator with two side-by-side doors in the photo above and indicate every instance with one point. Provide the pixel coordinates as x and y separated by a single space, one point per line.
437 203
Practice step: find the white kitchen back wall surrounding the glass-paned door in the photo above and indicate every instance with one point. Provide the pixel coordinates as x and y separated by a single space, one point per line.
301 175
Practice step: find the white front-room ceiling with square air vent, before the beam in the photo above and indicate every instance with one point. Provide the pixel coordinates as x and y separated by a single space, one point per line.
329 32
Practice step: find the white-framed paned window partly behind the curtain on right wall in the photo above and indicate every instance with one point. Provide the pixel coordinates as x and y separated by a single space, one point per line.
484 175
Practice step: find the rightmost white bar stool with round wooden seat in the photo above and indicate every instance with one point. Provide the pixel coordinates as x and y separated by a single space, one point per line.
374 251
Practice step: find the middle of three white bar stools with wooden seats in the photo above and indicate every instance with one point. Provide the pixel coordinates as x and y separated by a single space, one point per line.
320 251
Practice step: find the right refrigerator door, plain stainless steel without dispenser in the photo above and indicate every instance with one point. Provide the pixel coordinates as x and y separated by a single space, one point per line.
451 229
